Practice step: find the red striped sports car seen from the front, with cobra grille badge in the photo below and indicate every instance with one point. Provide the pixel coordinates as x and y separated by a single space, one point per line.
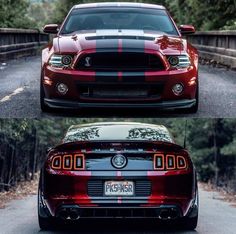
119 55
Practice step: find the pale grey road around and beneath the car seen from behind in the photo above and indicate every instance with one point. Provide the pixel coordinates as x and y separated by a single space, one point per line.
216 216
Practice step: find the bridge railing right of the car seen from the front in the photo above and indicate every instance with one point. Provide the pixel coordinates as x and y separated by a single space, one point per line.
219 46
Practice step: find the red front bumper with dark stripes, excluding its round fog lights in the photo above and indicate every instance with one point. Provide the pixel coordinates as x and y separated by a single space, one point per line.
106 89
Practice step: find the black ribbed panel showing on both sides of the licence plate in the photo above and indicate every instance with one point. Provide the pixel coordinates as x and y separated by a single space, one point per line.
142 188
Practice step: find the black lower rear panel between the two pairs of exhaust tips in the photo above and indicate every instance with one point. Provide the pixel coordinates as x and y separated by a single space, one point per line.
119 213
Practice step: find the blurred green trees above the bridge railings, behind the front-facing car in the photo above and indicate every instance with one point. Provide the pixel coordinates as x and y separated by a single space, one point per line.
204 15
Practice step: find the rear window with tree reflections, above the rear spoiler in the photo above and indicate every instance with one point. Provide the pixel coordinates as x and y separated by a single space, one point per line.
118 132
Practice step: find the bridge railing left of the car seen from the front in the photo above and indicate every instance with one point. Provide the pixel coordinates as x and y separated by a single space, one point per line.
20 42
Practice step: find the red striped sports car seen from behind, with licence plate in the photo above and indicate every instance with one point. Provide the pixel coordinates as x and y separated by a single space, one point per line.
118 170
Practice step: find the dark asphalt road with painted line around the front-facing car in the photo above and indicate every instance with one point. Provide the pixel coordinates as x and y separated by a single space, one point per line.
19 94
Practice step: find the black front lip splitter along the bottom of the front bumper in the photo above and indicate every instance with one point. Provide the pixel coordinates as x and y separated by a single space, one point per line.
164 105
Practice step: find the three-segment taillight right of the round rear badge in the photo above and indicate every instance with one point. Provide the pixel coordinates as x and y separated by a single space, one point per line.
169 162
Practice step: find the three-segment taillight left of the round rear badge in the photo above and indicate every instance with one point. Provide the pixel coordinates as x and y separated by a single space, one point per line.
71 162
